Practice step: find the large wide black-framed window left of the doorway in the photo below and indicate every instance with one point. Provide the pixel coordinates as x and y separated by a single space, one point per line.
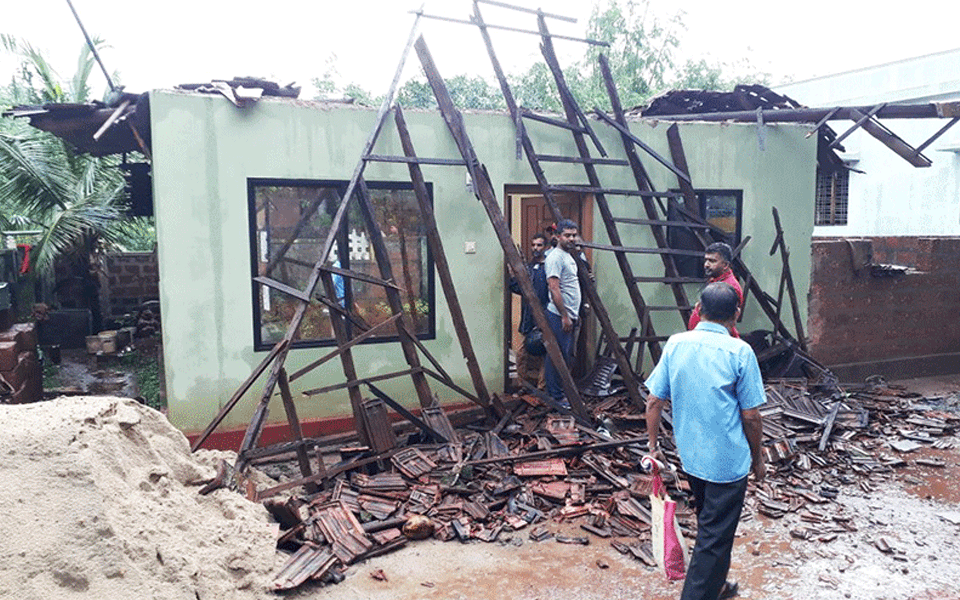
289 224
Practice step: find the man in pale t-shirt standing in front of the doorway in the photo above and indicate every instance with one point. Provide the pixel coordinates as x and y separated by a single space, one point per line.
564 305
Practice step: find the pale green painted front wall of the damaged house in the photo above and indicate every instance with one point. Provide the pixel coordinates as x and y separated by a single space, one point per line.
204 149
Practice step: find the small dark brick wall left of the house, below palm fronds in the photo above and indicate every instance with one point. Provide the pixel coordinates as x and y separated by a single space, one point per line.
127 280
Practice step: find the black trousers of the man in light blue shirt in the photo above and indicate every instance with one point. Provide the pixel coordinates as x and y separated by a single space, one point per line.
718 507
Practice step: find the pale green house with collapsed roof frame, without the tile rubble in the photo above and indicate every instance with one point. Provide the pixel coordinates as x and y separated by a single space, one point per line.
247 181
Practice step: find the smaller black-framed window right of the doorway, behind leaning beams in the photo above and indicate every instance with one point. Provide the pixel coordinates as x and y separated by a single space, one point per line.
721 208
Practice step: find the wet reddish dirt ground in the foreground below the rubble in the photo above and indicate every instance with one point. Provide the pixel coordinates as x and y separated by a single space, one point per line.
904 509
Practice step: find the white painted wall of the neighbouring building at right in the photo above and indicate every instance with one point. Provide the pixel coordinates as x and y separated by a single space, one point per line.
892 197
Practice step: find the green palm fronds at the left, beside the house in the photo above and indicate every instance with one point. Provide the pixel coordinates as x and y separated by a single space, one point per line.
74 199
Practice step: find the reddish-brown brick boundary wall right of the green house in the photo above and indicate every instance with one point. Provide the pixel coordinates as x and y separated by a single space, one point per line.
856 317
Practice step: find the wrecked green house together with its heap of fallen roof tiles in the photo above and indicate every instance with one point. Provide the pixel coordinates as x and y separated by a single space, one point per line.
350 267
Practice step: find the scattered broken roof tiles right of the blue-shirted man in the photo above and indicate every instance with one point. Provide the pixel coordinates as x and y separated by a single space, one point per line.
821 442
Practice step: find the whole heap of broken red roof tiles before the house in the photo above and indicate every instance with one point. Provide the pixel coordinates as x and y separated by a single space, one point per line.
528 473
